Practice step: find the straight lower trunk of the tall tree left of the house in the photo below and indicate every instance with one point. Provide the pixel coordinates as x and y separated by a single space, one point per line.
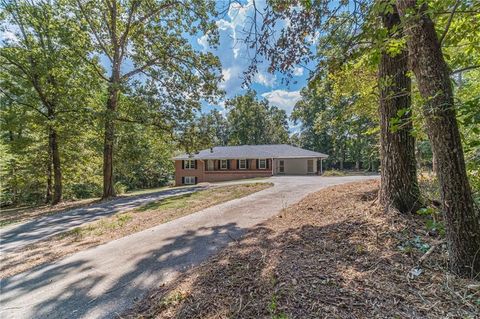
108 189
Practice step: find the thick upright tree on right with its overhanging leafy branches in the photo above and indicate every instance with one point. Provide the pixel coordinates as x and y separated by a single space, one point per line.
344 31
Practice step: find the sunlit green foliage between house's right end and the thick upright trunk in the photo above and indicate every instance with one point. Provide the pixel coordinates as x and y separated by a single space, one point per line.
338 120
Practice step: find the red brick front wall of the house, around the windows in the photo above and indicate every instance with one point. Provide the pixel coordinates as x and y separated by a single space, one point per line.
221 175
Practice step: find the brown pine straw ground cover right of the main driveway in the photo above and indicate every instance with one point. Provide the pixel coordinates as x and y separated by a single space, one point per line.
333 255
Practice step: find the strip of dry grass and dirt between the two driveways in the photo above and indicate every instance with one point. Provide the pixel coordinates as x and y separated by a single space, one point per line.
120 225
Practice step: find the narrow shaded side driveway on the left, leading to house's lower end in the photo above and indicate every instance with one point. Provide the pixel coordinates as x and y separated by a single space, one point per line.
19 235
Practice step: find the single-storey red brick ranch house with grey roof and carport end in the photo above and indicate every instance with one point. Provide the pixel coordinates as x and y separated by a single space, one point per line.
224 163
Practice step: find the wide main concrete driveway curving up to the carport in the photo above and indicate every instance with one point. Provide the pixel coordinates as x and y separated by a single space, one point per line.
104 281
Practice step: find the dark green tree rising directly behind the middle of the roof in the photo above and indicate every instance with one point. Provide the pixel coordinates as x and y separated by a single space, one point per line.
255 122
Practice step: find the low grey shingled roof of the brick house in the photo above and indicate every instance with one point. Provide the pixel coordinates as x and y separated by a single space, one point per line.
252 151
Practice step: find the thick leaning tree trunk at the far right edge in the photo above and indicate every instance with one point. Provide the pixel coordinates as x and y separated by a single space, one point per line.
433 77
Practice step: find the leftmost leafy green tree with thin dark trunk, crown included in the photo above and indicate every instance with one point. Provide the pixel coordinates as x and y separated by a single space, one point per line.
42 71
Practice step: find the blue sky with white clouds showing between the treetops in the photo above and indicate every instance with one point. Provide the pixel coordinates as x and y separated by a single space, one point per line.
234 56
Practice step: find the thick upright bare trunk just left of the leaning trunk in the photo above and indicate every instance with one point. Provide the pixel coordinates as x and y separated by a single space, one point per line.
399 186
